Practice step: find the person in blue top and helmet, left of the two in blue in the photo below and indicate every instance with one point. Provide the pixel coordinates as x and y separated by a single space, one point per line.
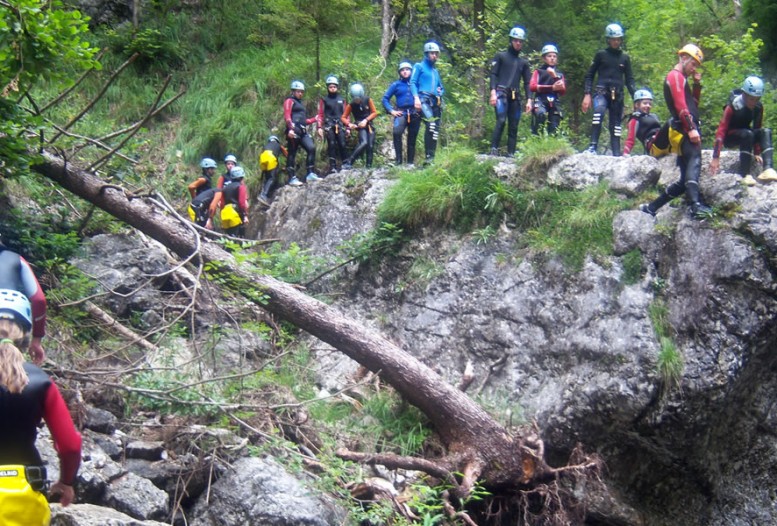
404 114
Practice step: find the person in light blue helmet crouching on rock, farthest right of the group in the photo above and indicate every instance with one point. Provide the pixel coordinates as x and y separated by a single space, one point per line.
742 125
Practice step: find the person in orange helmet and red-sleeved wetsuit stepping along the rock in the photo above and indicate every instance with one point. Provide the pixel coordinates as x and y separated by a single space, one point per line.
682 132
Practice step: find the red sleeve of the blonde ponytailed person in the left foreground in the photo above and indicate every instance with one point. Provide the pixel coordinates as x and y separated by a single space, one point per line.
67 441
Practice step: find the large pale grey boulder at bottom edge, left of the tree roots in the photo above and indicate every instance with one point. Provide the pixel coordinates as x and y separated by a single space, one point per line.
259 492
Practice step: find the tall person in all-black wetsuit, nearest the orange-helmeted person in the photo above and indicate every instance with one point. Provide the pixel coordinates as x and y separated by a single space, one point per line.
612 67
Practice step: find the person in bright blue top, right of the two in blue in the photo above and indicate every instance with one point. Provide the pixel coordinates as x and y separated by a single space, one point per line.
427 89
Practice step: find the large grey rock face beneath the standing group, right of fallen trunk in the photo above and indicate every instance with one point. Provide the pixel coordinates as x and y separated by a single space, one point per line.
578 352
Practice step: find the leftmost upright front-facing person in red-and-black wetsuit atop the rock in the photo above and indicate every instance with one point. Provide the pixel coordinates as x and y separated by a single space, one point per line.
297 122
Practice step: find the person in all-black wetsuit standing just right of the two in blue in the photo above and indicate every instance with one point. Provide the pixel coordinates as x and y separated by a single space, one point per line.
507 70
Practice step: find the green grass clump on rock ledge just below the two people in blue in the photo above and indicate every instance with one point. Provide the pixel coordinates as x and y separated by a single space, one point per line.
452 191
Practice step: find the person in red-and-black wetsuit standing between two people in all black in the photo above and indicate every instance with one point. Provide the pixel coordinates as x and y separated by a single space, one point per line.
548 85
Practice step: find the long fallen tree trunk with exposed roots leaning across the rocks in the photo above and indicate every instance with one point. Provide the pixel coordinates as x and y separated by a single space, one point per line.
478 446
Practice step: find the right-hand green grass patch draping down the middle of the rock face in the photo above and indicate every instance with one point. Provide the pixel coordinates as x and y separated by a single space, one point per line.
567 223
